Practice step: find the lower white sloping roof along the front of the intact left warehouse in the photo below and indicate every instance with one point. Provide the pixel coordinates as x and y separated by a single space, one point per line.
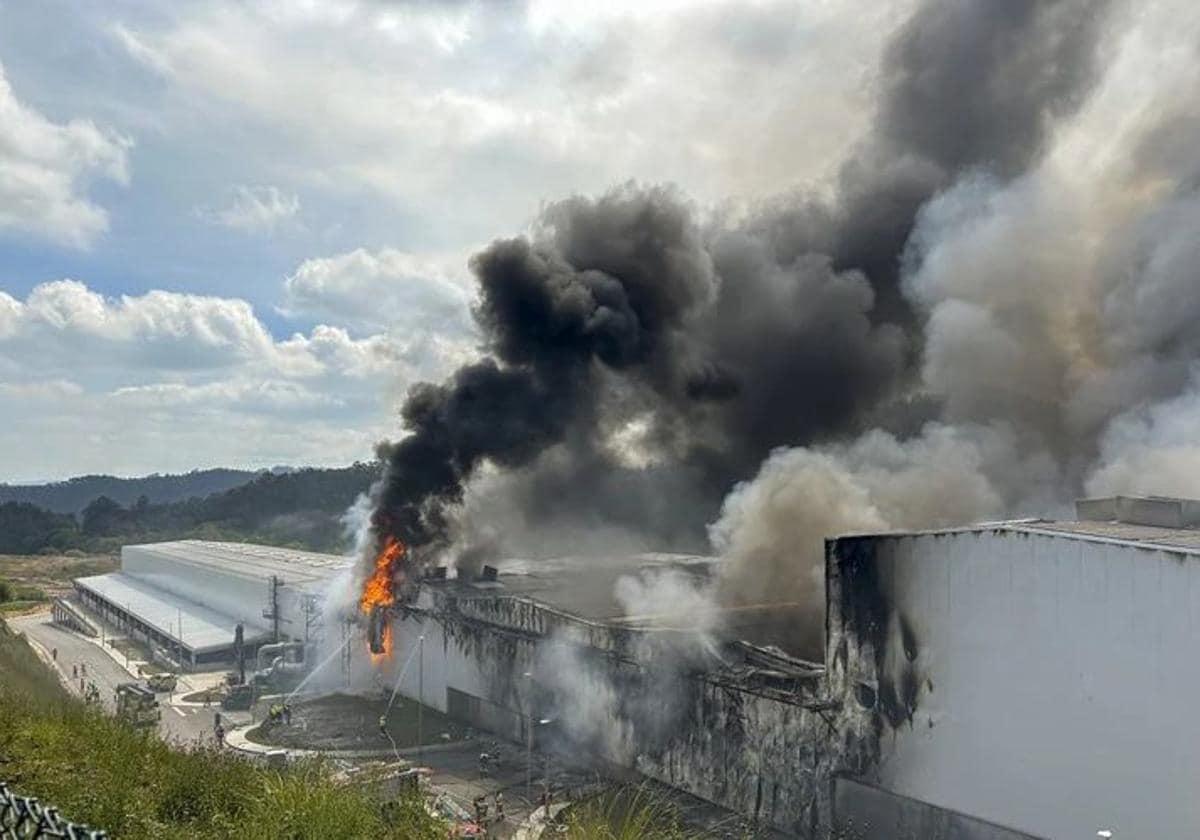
205 629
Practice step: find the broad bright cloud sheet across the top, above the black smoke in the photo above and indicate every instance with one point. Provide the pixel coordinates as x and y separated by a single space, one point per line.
477 112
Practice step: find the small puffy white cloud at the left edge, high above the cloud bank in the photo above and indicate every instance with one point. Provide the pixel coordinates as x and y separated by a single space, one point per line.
45 169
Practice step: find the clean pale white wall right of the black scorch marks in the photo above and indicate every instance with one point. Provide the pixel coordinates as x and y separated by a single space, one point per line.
1060 682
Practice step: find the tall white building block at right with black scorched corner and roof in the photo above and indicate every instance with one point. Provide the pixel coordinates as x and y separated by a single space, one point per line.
1036 675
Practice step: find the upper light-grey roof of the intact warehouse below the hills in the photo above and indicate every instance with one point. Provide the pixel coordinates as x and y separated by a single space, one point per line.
298 568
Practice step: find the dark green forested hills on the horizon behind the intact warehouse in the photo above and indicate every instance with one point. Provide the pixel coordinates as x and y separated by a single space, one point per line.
302 508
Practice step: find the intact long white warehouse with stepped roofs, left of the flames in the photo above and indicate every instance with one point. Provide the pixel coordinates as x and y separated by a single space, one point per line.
188 598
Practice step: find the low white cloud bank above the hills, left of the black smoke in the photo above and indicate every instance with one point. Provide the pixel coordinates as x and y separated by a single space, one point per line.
170 381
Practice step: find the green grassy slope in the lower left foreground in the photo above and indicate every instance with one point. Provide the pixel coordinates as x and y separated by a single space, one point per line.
98 771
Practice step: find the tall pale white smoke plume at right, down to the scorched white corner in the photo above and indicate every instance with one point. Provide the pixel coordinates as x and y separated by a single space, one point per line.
1063 332
